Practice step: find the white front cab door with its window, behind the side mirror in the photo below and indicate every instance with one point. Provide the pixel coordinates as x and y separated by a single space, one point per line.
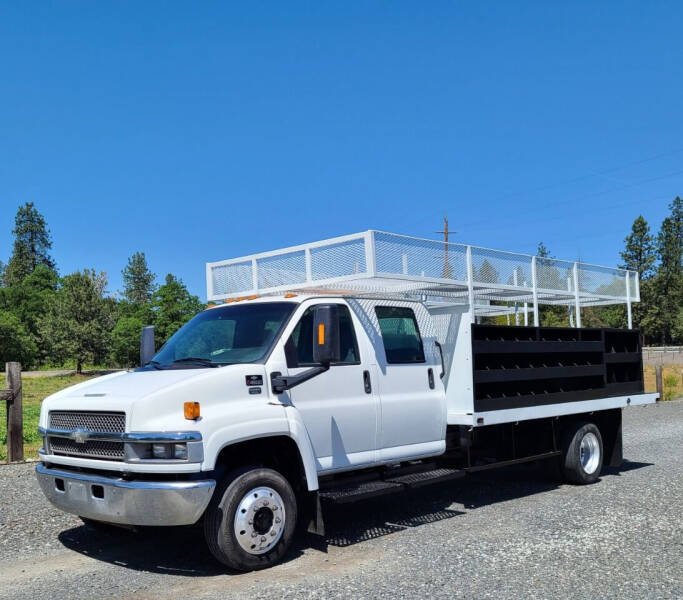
339 407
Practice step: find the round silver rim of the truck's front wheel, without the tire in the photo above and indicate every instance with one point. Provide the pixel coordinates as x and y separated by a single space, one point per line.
259 520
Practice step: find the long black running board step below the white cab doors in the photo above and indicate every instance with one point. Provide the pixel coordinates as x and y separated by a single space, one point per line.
351 492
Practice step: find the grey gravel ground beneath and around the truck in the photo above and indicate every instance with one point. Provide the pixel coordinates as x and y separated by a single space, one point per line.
503 534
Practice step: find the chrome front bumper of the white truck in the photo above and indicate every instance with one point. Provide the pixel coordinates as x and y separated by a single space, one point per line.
116 500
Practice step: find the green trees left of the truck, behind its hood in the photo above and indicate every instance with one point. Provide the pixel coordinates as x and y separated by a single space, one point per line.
52 320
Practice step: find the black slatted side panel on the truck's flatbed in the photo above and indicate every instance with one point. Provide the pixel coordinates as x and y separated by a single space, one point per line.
517 367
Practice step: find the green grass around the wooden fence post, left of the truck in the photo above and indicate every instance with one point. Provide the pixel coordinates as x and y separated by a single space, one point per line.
35 390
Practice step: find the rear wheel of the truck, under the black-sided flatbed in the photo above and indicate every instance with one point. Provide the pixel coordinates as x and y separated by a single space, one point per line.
583 453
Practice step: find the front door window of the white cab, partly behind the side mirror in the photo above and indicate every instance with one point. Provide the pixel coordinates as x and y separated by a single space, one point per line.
299 346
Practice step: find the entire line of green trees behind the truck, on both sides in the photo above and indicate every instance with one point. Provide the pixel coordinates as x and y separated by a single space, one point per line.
48 319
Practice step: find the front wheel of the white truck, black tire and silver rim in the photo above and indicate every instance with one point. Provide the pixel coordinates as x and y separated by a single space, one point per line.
251 519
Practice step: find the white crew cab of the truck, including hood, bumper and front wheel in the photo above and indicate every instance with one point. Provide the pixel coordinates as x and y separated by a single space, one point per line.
243 388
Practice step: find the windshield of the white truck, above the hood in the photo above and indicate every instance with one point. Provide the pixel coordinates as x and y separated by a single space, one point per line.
242 333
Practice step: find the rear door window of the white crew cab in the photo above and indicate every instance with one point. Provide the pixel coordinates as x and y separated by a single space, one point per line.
400 334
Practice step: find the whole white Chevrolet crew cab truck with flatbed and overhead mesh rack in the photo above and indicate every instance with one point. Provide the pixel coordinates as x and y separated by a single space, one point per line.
342 369
